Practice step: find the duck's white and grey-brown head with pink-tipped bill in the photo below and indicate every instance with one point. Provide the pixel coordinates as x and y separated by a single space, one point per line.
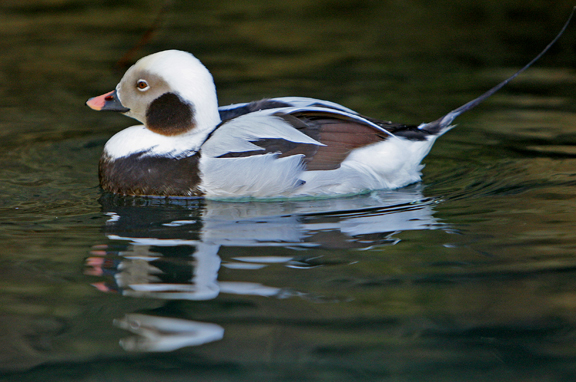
170 92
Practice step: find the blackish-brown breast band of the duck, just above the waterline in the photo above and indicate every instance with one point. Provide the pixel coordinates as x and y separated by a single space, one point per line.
149 175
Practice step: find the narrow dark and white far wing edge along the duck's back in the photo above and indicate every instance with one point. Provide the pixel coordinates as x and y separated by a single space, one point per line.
236 110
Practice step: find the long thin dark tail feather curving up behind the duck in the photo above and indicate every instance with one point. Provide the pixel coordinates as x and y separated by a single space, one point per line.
441 125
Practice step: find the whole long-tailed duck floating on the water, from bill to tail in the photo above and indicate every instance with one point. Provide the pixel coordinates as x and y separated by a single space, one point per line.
279 147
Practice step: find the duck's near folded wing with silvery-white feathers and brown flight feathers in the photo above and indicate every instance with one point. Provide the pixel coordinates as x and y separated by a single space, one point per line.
323 137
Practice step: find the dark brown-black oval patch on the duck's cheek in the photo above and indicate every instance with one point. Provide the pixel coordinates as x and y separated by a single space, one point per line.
170 115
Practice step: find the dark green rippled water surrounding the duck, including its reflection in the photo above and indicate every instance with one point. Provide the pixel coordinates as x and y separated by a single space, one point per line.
467 276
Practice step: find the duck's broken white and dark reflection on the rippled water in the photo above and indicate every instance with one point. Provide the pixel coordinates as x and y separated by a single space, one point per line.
170 249
